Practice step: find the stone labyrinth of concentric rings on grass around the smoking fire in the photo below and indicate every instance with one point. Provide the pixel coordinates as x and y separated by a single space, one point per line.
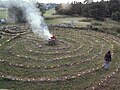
24 57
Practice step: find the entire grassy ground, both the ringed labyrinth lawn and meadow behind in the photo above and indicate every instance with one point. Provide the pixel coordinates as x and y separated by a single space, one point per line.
76 63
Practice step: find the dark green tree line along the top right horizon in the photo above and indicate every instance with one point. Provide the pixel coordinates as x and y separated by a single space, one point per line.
97 10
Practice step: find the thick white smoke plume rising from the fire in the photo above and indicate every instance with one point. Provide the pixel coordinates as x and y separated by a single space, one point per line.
33 16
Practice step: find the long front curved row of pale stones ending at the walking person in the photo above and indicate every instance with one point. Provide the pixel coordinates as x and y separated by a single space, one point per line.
41 79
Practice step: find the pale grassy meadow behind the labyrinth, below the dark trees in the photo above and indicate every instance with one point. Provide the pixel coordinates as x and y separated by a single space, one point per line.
107 26
